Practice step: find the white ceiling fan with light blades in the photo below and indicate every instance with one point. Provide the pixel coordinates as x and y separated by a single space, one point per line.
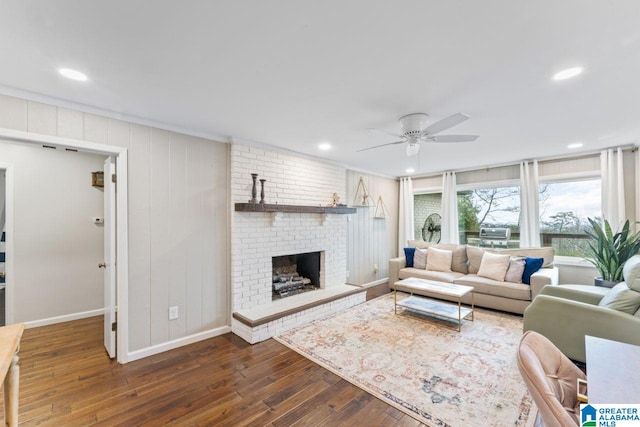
414 130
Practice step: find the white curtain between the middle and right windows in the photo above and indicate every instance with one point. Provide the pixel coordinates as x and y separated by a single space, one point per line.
529 206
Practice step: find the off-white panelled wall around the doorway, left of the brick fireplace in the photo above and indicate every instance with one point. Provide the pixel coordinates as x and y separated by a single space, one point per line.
178 218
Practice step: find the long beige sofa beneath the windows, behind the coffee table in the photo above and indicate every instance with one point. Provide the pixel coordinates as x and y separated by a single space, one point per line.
490 293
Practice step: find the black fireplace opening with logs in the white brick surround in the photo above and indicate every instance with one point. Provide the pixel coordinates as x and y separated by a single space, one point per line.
294 274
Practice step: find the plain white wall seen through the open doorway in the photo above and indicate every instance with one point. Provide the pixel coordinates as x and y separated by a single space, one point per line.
57 247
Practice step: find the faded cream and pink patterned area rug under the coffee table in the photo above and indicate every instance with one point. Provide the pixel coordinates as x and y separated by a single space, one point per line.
426 369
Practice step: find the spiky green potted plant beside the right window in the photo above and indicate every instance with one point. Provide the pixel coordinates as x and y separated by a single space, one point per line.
610 251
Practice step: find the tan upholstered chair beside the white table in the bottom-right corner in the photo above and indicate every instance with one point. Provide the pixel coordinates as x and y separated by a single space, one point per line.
551 379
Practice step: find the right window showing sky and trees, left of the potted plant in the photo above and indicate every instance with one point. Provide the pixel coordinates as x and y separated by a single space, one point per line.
564 209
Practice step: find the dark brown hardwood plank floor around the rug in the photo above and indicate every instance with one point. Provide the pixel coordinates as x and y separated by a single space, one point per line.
66 379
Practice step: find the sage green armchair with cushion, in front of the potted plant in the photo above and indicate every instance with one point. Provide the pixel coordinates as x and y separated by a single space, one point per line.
565 314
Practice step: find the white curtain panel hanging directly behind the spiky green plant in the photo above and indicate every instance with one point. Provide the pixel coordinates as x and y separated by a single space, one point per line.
612 173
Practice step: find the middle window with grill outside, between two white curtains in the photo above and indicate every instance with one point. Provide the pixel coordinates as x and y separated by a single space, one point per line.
496 207
